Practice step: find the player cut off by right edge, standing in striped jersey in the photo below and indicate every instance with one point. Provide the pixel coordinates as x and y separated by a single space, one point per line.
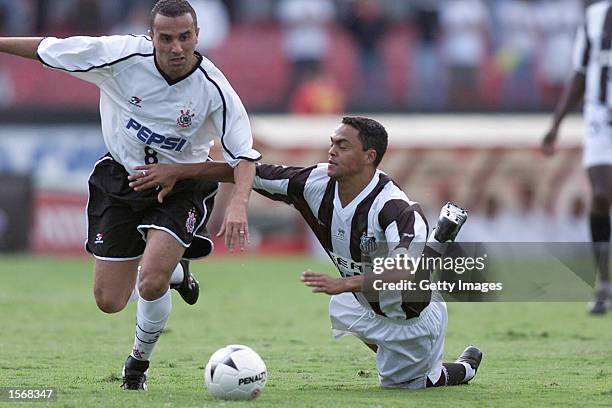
591 80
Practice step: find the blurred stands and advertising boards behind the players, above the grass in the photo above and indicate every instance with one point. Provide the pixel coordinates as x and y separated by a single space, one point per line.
462 85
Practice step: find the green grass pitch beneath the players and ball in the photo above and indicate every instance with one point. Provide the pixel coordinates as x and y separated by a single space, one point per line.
52 335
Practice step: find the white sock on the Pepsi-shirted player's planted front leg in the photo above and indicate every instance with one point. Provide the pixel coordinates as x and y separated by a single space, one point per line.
151 317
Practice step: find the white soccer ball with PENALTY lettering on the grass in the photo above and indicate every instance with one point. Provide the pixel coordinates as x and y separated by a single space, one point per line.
235 372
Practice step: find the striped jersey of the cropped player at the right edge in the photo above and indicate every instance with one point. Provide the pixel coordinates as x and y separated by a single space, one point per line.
593 57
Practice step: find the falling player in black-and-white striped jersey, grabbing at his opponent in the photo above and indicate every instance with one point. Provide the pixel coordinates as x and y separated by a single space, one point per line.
351 206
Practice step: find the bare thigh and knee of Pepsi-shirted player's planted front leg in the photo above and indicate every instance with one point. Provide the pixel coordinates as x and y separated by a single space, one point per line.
161 255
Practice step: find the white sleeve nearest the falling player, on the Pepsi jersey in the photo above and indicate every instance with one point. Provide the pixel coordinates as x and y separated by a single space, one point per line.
233 124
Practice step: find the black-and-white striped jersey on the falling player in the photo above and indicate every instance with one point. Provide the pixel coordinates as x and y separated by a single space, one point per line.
380 214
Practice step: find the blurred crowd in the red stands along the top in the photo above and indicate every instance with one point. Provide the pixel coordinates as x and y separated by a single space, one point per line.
356 54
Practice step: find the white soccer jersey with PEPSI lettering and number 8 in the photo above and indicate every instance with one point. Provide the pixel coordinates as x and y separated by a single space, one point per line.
146 117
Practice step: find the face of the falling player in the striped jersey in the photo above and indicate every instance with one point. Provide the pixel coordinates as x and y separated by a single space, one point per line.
346 156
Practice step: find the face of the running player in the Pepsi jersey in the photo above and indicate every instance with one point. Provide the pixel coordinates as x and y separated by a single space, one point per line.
175 39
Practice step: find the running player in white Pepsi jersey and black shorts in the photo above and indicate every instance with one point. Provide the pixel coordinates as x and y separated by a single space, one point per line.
160 102
